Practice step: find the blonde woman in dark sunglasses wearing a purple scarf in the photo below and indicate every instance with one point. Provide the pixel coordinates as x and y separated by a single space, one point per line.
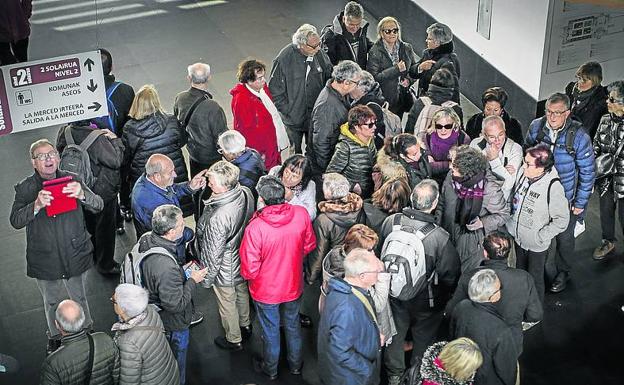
444 133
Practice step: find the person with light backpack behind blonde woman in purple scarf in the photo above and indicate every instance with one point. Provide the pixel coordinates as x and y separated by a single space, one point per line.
439 94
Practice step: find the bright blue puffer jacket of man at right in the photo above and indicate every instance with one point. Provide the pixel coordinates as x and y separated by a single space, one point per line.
577 173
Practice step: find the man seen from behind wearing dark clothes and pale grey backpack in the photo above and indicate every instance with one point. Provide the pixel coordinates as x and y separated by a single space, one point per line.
422 314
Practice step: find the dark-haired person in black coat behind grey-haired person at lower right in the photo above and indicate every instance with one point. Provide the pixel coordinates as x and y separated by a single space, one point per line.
521 303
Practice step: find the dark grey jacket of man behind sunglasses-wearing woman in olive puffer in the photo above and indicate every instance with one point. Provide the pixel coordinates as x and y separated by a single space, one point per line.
329 113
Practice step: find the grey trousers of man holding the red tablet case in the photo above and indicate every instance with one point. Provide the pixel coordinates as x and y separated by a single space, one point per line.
53 292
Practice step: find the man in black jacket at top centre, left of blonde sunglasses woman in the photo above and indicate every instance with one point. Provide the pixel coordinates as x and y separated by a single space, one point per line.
346 38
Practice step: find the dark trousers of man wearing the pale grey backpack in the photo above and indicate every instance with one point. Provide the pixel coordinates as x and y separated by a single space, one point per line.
423 321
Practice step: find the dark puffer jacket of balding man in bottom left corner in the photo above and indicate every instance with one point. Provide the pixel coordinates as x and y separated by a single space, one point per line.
68 365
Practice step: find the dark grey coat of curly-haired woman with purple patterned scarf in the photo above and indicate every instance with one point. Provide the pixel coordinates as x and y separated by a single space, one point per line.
494 214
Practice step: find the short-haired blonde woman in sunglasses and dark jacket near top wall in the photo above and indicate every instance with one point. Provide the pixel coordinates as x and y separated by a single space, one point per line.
392 61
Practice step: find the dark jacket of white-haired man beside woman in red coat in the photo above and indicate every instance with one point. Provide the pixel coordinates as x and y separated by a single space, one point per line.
293 93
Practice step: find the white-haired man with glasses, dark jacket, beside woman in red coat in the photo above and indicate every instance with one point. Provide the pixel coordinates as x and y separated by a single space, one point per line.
299 72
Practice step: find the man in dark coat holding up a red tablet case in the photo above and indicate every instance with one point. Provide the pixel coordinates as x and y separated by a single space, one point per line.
58 247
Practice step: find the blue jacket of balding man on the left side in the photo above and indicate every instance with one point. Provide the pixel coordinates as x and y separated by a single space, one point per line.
146 196
